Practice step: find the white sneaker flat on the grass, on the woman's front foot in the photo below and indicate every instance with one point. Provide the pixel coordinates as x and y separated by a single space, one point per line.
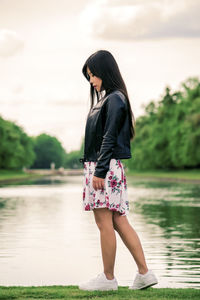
100 282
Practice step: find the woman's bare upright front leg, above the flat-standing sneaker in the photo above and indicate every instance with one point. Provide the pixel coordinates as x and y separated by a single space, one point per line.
104 221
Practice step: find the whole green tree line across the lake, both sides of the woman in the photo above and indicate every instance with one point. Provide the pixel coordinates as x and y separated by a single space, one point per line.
167 137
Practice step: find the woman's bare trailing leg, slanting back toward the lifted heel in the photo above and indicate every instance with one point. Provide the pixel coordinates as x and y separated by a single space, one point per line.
131 240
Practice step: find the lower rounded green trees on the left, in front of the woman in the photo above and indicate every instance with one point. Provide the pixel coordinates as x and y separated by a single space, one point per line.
18 150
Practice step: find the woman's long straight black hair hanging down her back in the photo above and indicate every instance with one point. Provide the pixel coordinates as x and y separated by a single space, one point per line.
103 65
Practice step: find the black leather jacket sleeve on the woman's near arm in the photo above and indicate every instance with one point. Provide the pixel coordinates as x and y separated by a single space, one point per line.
115 111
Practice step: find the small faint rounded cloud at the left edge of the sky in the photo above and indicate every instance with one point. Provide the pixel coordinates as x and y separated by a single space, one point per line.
10 43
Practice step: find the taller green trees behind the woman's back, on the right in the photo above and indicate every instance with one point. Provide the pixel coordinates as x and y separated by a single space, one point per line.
168 134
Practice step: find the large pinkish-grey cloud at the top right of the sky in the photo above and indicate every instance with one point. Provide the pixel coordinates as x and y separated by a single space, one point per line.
137 20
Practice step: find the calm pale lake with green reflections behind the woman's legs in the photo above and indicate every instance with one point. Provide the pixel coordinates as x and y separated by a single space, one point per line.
47 239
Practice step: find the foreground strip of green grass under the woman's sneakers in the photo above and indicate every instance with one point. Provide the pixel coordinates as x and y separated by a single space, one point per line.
72 292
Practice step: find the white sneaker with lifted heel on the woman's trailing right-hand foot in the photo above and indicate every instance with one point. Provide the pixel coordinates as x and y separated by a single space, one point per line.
144 281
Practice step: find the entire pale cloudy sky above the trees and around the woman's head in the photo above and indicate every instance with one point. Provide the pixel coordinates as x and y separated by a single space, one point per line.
44 44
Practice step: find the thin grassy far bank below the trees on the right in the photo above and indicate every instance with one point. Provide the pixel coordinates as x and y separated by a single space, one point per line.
180 175
